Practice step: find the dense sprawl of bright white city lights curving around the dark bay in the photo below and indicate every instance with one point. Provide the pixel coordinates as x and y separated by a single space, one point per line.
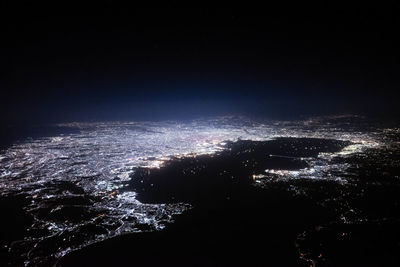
99 157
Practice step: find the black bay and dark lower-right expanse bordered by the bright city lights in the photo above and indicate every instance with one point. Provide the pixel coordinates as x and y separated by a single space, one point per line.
237 221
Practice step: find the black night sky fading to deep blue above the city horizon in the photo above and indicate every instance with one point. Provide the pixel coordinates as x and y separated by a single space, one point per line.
108 63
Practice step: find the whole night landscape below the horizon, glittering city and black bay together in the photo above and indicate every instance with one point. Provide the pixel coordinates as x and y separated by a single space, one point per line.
223 191
